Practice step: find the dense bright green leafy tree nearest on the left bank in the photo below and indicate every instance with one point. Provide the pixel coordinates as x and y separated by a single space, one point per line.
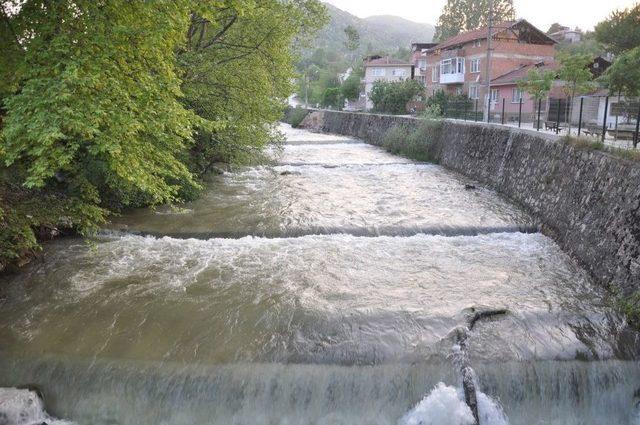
98 101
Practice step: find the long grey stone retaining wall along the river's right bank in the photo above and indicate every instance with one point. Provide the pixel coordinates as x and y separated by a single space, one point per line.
588 201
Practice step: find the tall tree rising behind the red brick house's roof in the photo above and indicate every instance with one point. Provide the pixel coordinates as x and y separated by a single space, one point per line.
465 15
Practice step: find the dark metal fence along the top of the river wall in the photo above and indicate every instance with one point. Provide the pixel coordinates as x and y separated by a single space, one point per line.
613 120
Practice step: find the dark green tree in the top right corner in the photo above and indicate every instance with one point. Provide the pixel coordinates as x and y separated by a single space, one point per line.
621 30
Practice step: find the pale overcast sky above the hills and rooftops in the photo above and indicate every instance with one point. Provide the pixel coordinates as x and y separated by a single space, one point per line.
542 13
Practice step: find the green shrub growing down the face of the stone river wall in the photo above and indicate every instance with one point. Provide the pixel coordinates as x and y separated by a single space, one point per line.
417 143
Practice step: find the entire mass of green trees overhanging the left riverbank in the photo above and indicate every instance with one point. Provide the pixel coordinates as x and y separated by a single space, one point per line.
119 103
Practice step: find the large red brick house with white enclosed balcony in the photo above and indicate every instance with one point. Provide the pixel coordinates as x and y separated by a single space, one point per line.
458 65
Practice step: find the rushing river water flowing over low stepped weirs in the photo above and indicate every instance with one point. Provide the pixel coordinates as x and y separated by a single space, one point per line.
325 289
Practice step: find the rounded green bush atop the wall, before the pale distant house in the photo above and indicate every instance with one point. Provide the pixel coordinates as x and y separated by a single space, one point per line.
392 97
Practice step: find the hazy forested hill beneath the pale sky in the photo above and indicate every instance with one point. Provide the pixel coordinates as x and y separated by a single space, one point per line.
377 33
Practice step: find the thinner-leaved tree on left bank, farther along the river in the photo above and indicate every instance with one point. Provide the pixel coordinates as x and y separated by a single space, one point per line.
238 70
